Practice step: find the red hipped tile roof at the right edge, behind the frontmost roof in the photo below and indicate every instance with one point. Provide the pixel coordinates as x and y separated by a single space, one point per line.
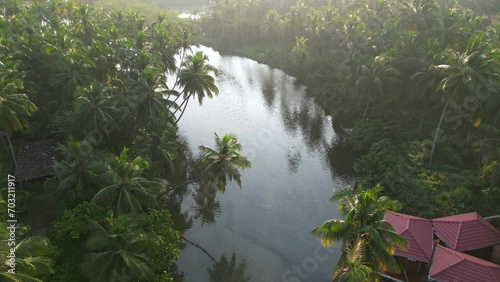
465 232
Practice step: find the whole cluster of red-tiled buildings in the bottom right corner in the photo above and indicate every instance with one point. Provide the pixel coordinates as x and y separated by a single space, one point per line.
460 233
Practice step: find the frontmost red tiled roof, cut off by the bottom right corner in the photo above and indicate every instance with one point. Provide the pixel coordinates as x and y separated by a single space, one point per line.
452 266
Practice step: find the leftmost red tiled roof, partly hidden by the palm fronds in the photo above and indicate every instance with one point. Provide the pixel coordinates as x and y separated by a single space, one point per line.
417 231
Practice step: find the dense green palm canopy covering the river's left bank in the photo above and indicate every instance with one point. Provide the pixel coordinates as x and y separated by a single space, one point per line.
96 81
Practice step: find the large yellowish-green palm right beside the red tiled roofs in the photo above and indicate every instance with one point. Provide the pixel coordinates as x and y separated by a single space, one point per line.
367 239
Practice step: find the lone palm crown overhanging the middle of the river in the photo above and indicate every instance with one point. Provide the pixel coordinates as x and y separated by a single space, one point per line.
223 163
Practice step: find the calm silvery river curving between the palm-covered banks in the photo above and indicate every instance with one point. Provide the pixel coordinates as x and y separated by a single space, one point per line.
297 163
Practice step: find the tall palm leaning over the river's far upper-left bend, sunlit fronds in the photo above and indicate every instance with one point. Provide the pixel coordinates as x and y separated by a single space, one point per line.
195 78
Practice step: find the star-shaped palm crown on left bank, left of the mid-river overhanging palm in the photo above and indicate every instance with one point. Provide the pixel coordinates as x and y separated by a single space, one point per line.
125 189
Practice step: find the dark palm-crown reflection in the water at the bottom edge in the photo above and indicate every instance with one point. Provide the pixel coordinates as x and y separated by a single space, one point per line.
226 270
